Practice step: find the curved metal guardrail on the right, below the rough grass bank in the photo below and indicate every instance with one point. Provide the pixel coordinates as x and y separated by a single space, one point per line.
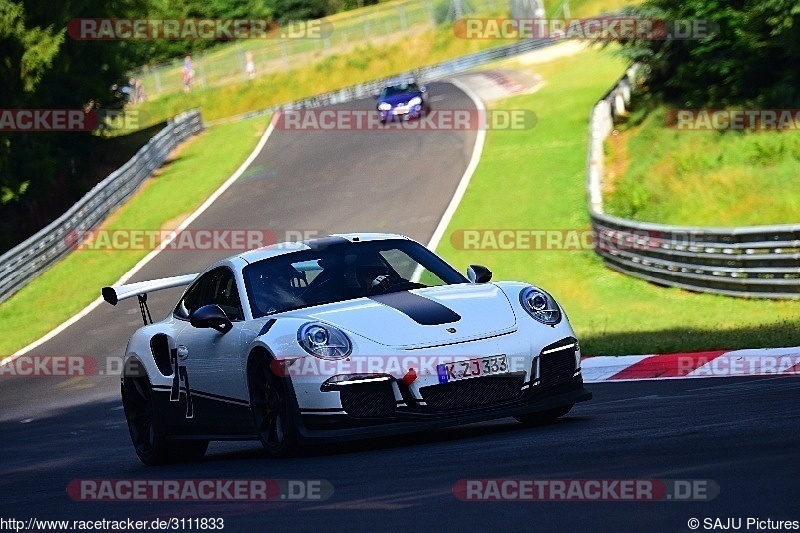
753 262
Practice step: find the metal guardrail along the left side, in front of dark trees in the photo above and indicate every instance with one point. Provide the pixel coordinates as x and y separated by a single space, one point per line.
33 256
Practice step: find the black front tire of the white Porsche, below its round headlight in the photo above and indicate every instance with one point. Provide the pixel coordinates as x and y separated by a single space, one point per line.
269 404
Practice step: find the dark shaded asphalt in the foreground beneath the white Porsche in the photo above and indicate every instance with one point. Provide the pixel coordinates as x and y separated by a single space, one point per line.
740 433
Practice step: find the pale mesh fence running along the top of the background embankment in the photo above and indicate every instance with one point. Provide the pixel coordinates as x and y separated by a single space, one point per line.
385 21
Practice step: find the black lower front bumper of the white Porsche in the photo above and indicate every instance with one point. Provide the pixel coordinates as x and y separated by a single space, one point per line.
387 406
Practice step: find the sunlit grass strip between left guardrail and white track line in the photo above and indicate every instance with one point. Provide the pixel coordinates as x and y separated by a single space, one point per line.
199 168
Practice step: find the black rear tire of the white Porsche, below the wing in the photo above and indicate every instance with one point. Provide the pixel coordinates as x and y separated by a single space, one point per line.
147 435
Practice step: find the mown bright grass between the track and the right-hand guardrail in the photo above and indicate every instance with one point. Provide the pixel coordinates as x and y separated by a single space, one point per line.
538 177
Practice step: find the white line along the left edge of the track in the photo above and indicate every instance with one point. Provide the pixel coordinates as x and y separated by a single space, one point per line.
149 257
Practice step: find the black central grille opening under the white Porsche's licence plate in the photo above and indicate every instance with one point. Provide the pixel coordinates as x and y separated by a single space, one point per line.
473 392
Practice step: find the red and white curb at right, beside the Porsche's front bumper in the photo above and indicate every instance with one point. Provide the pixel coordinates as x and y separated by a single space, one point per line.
720 363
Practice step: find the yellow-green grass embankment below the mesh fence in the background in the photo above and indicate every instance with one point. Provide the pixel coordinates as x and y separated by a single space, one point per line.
341 66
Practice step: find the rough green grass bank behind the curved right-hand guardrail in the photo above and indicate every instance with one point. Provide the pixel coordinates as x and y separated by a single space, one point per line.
703 178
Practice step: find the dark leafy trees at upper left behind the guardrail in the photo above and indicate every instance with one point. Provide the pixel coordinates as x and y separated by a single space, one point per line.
43 173
